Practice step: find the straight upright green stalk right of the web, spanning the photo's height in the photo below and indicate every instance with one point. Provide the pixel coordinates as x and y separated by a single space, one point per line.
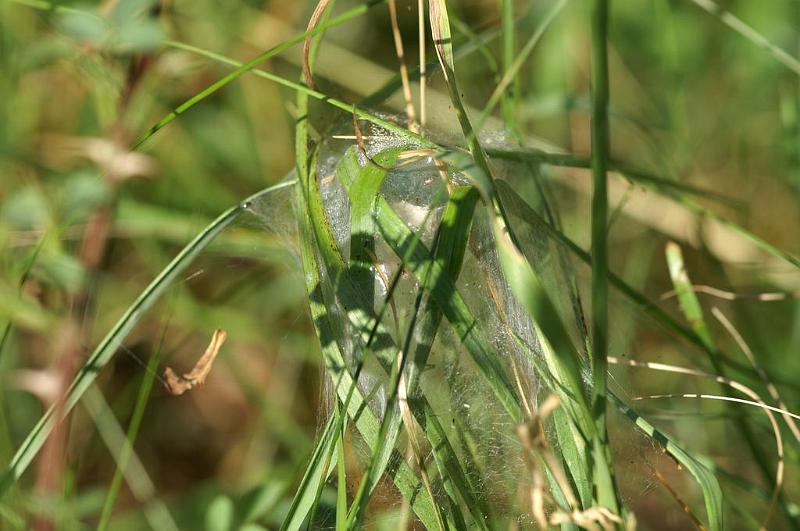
604 480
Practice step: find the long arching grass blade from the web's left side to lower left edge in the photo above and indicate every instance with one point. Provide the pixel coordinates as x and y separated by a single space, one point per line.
114 339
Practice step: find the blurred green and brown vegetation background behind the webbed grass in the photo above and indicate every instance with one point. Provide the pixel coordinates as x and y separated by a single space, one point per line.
88 224
